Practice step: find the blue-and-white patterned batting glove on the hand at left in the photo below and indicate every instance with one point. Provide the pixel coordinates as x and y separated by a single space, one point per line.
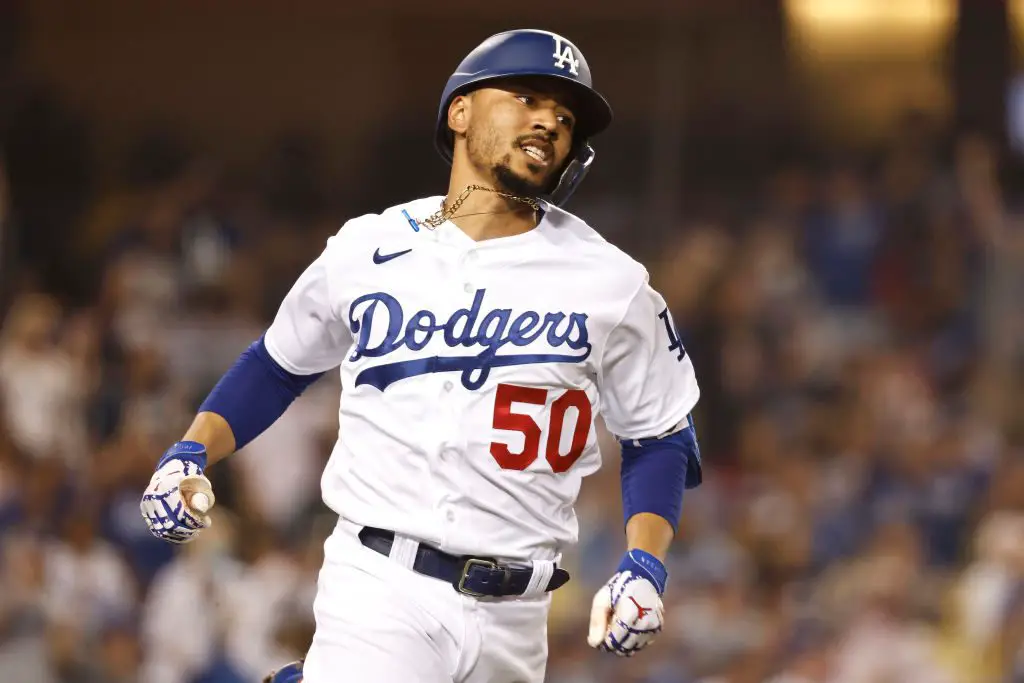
173 505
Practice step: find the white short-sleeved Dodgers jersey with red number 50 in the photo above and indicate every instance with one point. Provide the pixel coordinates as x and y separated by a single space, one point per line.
473 373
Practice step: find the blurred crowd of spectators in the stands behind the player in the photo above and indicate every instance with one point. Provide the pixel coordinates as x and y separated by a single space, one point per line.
859 334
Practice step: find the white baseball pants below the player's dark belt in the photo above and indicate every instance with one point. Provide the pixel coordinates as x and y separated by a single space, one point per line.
379 621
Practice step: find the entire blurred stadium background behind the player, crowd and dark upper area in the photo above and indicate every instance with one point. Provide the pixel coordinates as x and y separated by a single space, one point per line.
828 192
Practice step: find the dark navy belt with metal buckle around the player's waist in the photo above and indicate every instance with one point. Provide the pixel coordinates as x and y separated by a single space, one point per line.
477 577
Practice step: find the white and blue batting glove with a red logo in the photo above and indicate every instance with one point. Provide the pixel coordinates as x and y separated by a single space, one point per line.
627 613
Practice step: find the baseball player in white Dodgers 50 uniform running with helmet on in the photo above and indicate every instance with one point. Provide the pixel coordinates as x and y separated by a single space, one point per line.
479 335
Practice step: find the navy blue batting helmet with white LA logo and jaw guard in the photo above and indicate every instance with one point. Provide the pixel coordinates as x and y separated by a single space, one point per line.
533 53
